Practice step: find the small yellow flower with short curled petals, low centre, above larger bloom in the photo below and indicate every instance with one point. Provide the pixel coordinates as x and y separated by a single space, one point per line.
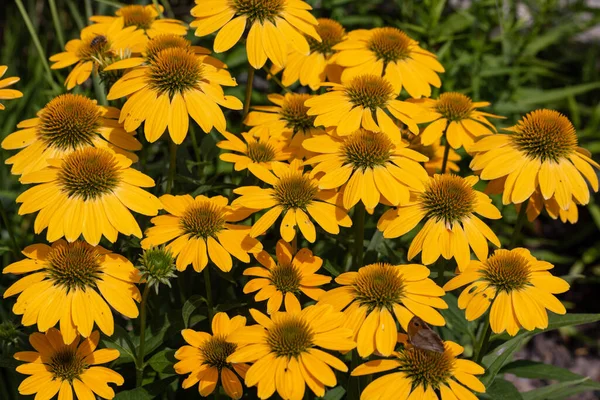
286 278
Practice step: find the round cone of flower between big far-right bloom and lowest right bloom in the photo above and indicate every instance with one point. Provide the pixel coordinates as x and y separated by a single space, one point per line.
448 198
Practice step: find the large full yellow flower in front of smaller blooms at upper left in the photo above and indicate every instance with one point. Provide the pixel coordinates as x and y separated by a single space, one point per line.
173 84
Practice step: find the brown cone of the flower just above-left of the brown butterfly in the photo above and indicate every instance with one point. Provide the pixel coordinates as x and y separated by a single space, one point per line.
378 286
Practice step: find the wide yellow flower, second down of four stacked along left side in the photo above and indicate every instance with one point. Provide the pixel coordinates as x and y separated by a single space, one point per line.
89 192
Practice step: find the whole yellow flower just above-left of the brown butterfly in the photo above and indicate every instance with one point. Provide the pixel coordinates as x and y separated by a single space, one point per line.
372 296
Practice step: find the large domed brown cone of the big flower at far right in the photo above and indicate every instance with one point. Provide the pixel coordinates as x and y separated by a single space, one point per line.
545 134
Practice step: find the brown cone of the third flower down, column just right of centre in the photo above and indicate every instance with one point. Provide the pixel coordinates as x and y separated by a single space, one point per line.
365 149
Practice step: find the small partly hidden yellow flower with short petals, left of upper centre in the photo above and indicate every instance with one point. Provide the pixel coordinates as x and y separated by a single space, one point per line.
262 150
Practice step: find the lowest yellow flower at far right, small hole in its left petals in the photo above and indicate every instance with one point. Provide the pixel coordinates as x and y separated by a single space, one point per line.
517 286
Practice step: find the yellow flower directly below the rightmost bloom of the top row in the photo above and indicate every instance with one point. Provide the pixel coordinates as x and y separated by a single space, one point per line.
356 102
